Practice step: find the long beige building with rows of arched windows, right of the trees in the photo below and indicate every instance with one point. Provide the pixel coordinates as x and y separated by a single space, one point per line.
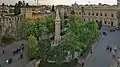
106 16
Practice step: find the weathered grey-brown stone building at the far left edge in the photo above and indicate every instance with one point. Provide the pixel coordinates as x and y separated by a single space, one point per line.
9 25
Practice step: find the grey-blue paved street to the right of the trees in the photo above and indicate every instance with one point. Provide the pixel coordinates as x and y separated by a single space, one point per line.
100 57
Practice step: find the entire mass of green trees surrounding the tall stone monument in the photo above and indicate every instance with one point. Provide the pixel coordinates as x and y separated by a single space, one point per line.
79 36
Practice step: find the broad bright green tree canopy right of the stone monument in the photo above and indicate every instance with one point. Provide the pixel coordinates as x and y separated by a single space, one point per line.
81 35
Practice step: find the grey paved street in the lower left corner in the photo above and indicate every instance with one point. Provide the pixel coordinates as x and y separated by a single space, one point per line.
8 53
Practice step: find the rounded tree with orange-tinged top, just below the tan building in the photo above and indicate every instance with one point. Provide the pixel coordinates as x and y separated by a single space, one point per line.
32 27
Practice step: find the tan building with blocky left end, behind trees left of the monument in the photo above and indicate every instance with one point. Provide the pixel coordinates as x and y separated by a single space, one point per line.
35 12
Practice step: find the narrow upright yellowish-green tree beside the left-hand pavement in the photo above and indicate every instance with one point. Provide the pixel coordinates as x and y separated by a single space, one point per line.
32 46
